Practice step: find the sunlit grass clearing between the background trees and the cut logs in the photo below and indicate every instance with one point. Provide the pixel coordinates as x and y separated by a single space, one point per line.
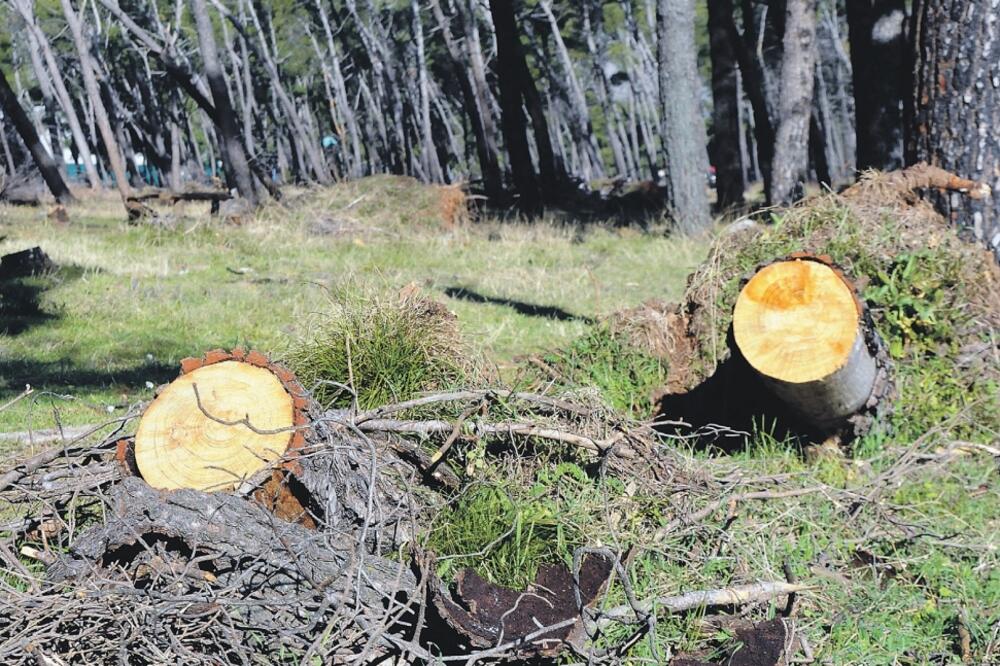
131 301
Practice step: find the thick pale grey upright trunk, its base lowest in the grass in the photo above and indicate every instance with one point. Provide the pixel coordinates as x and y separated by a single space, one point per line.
684 140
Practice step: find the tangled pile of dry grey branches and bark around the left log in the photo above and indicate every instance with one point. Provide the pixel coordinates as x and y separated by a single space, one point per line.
317 566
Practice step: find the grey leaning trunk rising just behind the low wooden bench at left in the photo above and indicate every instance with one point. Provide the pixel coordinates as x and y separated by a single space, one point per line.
230 143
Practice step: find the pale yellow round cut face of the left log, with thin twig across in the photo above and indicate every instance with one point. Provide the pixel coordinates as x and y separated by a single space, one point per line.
181 445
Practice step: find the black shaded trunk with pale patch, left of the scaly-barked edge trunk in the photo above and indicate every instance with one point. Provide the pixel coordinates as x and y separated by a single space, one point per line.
879 63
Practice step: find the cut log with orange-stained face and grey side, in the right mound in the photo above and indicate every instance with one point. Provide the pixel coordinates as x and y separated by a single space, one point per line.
800 326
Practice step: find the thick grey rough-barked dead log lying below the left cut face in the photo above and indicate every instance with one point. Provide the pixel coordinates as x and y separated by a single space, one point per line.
238 541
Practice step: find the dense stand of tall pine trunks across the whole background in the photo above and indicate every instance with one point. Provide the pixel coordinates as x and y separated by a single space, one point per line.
533 103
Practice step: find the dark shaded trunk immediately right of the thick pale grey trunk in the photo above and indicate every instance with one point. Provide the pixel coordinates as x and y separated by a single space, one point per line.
726 131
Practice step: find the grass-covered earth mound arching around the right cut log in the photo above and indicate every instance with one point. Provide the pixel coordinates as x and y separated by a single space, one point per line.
934 297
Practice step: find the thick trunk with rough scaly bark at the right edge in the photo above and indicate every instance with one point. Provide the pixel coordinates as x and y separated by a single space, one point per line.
956 106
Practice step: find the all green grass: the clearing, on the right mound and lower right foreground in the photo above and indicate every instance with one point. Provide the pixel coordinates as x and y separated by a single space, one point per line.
892 579
